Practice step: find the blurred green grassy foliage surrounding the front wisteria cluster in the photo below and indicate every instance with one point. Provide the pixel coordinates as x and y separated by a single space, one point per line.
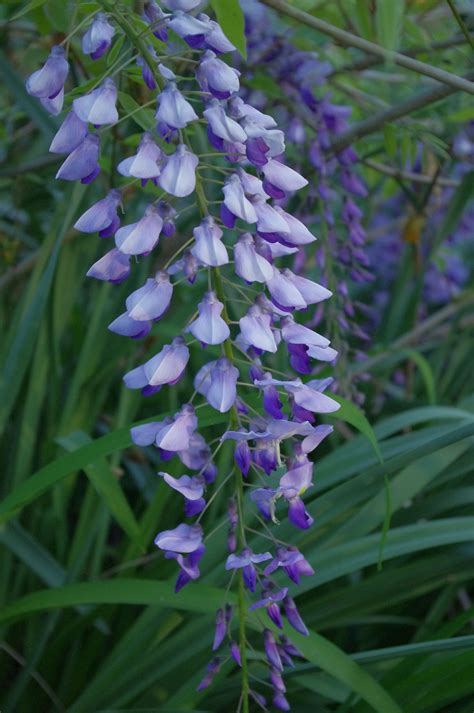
89 621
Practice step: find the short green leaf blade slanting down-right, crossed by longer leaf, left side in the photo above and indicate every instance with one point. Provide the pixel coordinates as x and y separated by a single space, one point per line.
106 484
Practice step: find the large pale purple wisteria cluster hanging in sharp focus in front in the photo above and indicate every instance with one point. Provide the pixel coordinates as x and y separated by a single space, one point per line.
246 238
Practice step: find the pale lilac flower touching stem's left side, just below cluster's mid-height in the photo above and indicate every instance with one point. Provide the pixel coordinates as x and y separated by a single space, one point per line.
217 381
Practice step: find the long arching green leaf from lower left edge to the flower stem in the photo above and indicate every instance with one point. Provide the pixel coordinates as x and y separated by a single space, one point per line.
140 592
